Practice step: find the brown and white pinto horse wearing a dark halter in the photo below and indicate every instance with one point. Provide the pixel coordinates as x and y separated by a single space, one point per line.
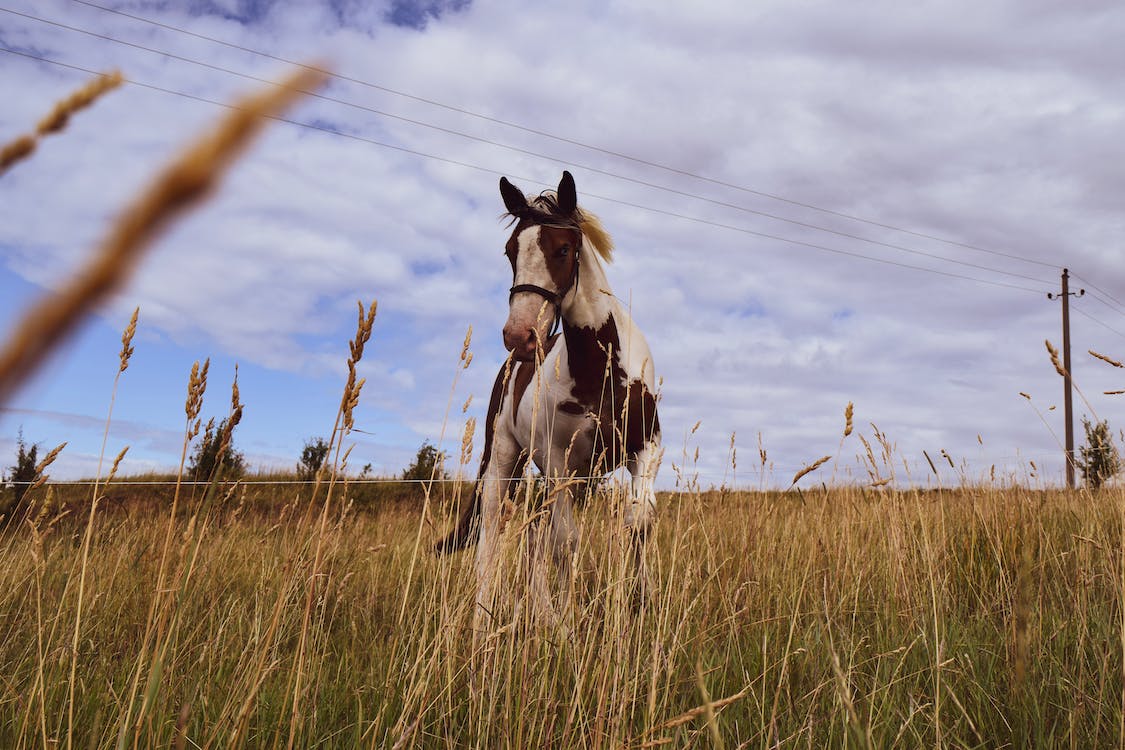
592 406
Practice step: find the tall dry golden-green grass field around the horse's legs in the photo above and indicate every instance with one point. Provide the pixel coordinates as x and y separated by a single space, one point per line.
835 618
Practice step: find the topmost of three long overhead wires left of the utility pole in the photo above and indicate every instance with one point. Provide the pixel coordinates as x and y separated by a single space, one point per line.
545 134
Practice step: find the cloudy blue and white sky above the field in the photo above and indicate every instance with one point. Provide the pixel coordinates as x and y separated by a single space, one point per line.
814 204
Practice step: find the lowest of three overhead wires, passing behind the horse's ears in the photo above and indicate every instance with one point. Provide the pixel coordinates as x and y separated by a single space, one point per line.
496 173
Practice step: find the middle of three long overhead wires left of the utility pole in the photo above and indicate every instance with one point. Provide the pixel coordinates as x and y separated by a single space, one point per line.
536 155
